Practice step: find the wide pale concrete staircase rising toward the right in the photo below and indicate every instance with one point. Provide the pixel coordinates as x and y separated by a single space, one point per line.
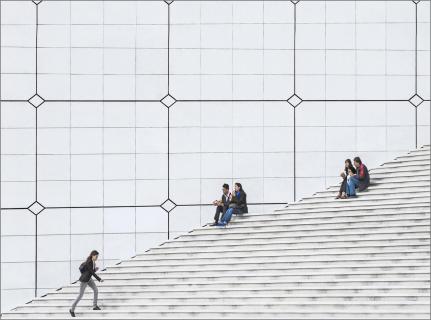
319 258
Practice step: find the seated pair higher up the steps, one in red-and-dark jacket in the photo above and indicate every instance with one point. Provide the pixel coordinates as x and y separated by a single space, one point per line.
355 176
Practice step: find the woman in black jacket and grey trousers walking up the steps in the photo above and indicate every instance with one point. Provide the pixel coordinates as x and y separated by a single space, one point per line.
88 269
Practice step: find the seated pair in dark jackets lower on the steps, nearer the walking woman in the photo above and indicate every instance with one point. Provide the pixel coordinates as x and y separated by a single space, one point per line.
234 202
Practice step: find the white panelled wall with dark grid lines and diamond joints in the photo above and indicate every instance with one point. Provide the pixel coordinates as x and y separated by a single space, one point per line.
108 153
